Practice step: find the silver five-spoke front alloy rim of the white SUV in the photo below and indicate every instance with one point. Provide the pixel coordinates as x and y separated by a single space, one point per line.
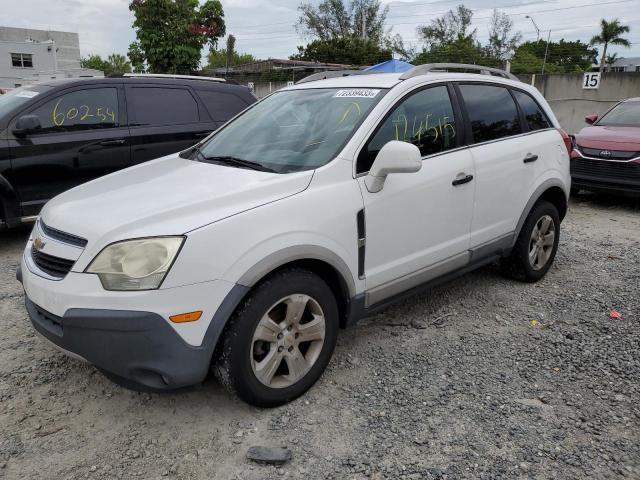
287 341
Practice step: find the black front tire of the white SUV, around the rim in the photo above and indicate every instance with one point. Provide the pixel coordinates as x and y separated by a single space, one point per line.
234 366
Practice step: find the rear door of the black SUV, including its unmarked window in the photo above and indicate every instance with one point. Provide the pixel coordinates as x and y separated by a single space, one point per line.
164 119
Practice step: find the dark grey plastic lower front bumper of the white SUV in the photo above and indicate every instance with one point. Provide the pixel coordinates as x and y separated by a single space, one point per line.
136 349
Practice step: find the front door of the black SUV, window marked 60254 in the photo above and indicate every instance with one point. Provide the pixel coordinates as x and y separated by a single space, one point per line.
83 136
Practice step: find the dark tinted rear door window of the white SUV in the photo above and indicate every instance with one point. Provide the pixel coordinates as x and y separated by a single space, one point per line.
492 112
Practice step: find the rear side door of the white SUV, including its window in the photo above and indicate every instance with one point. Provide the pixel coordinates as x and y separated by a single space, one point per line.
506 157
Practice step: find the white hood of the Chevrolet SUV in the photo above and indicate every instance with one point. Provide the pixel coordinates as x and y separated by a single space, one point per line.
168 196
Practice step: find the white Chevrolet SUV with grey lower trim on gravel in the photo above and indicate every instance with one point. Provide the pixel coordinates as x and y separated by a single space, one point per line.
248 252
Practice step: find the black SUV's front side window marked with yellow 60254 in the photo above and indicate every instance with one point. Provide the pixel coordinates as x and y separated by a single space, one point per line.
80 110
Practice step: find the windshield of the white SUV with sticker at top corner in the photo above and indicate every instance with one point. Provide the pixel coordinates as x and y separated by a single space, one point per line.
295 129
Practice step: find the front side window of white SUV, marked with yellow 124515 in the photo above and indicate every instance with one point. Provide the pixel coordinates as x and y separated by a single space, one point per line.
425 119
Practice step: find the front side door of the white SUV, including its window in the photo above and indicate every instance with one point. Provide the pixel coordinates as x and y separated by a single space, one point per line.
418 226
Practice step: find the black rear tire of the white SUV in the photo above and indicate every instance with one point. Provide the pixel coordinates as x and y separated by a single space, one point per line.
518 264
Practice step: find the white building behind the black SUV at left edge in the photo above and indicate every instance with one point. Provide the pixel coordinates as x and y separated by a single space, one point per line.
28 56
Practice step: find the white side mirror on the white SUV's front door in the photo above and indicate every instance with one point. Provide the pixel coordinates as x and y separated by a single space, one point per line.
394 157
